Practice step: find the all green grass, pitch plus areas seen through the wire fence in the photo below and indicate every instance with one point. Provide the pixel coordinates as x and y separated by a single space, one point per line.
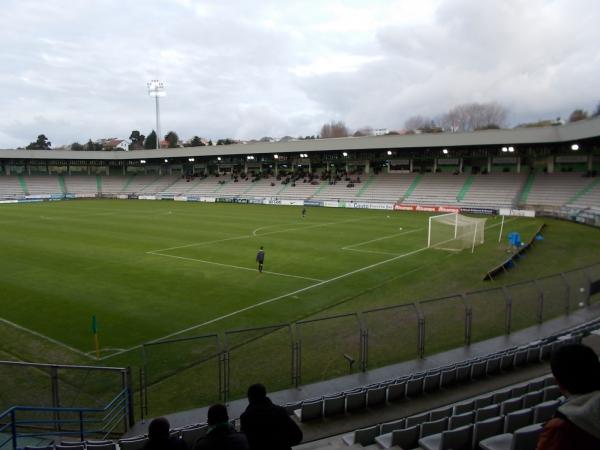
150 269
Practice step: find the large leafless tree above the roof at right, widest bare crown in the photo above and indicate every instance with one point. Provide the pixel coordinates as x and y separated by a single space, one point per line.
474 116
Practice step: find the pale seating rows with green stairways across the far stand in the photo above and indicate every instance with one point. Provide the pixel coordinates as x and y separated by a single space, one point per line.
482 191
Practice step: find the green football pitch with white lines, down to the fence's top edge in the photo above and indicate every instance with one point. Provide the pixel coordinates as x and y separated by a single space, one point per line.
155 270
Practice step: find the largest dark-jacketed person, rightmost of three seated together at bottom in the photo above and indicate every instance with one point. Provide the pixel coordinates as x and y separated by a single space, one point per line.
268 426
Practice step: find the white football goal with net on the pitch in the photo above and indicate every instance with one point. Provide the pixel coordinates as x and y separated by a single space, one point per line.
455 232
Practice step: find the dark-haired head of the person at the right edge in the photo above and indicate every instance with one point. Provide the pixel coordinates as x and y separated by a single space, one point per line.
576 368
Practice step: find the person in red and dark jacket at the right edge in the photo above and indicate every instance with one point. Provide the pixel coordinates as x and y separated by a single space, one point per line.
576 424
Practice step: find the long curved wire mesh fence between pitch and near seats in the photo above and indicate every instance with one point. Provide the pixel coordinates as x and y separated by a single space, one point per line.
220 367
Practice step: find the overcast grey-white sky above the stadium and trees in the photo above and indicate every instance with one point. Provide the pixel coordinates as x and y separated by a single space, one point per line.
78 69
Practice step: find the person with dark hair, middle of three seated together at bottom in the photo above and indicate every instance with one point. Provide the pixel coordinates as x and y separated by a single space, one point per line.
221 434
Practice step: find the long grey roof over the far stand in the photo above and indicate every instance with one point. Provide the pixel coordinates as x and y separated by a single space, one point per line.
576 131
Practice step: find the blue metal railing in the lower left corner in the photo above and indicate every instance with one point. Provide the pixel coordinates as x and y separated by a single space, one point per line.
21 422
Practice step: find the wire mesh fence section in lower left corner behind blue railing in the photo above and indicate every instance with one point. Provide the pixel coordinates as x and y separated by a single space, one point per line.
41 400
